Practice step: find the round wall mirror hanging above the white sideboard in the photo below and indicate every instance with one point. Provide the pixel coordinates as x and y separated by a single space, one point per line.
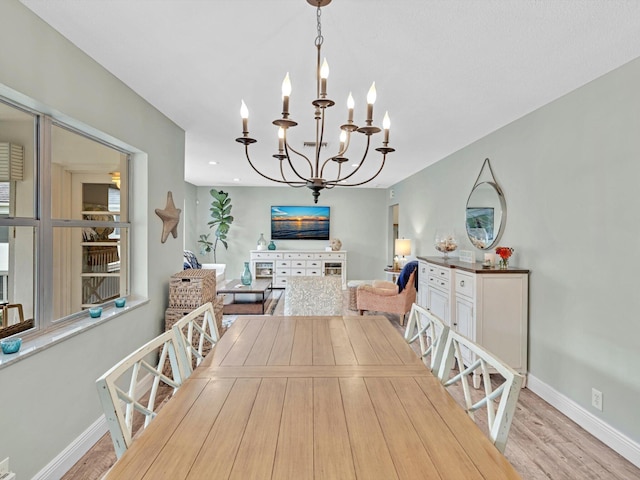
486 215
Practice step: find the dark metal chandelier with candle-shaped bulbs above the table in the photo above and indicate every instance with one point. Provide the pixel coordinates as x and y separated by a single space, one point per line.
315 180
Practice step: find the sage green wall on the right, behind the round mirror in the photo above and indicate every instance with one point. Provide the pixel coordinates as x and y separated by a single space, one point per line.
570 173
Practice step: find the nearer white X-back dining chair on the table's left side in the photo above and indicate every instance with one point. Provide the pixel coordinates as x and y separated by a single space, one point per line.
121 401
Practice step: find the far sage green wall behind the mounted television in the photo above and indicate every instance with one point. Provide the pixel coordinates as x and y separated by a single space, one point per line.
356 219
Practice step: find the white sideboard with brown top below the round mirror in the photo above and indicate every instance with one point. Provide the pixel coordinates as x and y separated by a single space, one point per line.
488 306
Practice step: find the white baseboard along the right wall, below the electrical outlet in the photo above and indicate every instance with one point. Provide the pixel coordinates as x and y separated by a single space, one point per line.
604 432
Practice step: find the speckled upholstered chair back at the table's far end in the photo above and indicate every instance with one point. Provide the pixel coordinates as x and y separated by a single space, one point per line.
313 295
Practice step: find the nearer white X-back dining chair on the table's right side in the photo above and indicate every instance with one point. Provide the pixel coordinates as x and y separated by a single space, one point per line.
498 421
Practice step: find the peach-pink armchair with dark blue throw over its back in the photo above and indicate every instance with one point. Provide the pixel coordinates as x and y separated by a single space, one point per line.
383 296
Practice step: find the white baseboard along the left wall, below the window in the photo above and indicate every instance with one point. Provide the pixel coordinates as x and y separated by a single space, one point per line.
73 452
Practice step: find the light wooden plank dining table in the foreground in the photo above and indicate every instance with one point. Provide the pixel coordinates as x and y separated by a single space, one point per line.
312 398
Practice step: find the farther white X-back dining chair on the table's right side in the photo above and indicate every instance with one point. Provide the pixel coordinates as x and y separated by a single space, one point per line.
430 331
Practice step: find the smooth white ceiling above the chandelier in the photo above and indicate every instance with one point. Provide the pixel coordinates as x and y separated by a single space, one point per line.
448 71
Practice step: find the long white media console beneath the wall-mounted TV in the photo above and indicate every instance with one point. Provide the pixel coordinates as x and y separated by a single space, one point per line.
280 265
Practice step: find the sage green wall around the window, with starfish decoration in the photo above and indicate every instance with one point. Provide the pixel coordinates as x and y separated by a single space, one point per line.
50 398
